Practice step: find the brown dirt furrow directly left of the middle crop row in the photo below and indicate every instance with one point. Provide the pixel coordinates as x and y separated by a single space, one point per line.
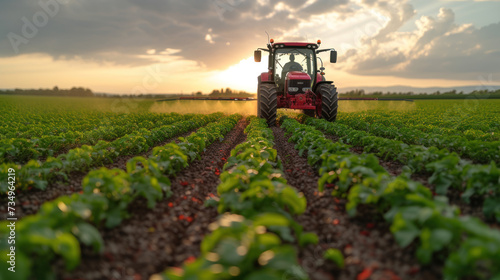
171 233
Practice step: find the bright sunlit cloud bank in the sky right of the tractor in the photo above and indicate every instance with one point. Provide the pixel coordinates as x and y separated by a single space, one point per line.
438 49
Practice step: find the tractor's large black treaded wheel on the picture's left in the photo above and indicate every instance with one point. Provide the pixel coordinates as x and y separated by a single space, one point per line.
268 103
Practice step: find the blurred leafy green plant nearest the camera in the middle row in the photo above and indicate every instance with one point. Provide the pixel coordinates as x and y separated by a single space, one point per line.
241 248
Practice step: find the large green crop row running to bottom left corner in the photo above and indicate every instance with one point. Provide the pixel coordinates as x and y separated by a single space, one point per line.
63 225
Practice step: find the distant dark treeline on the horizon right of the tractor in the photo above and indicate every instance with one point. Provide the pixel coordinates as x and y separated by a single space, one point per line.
453 94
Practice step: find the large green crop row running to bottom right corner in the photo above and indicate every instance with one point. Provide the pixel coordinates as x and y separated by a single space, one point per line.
471 247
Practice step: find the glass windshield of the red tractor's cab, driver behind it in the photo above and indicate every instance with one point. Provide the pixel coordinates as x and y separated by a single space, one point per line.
293 59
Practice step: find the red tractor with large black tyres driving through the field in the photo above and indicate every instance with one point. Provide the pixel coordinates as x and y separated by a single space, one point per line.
294 81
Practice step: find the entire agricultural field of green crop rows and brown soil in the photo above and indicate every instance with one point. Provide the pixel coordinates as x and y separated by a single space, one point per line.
107 188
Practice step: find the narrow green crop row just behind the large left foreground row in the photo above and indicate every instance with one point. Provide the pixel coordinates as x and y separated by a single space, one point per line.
36 174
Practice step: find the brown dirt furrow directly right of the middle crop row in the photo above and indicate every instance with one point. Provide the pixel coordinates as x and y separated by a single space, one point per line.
365 241
